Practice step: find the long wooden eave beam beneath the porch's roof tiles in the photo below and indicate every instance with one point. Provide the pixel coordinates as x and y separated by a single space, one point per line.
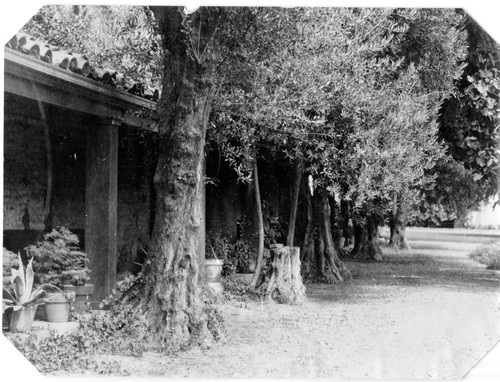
34 79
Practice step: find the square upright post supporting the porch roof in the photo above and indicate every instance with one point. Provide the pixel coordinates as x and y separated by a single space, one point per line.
101 204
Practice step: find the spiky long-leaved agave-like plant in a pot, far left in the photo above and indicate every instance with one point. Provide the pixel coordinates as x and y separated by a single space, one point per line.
21 300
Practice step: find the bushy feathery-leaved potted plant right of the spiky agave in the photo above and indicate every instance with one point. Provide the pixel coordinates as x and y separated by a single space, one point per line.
59 261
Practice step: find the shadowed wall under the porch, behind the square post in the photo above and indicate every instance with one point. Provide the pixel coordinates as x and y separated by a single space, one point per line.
25 182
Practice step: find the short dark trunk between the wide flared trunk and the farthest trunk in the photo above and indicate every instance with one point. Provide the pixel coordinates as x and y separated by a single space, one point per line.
366 245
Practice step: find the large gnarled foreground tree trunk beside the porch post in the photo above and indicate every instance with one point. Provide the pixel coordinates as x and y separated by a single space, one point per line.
171 300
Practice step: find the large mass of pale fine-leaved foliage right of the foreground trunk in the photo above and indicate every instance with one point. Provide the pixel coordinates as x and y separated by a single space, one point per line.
347 90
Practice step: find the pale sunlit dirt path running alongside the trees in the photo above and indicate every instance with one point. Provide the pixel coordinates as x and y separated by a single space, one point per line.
427 313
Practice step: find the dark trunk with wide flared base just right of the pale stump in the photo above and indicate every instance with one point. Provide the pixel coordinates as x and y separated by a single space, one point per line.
319 250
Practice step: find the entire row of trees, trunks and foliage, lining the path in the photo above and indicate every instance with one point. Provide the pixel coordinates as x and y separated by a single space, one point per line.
351 98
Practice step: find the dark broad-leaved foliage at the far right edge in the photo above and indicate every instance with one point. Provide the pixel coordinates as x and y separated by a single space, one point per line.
468 127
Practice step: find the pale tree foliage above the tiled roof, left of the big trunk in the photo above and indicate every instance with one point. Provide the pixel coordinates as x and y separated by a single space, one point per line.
121 38
